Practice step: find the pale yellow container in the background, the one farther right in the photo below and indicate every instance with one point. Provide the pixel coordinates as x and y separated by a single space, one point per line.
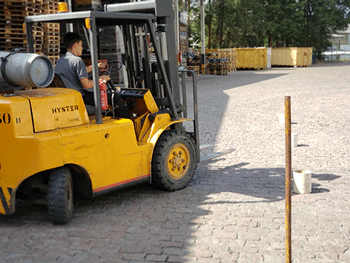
292 56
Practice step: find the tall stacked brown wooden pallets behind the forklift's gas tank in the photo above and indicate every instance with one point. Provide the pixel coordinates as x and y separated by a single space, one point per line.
12 28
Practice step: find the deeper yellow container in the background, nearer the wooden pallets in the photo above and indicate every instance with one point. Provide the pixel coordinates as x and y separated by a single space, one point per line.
251 58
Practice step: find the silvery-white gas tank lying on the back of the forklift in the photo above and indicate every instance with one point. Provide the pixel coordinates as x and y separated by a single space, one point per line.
26 69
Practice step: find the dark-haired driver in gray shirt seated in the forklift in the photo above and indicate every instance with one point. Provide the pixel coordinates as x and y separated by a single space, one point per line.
74 74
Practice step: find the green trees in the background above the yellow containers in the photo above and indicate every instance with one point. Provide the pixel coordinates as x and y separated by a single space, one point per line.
276 23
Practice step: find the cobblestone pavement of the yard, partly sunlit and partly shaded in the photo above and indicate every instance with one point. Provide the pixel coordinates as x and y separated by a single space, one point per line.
233 210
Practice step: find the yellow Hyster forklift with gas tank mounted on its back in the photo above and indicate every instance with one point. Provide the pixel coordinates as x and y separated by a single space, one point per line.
52 149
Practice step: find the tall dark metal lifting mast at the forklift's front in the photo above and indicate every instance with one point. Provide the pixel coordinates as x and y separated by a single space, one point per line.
163 11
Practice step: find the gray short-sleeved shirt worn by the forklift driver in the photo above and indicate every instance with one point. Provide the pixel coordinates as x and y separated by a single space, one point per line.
71 69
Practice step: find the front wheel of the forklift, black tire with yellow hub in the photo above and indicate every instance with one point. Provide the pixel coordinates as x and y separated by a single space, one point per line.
173 161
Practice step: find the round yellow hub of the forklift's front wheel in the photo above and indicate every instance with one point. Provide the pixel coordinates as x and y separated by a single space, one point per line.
178 161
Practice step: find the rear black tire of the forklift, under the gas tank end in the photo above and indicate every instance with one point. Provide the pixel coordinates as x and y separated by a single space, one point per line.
60 196
